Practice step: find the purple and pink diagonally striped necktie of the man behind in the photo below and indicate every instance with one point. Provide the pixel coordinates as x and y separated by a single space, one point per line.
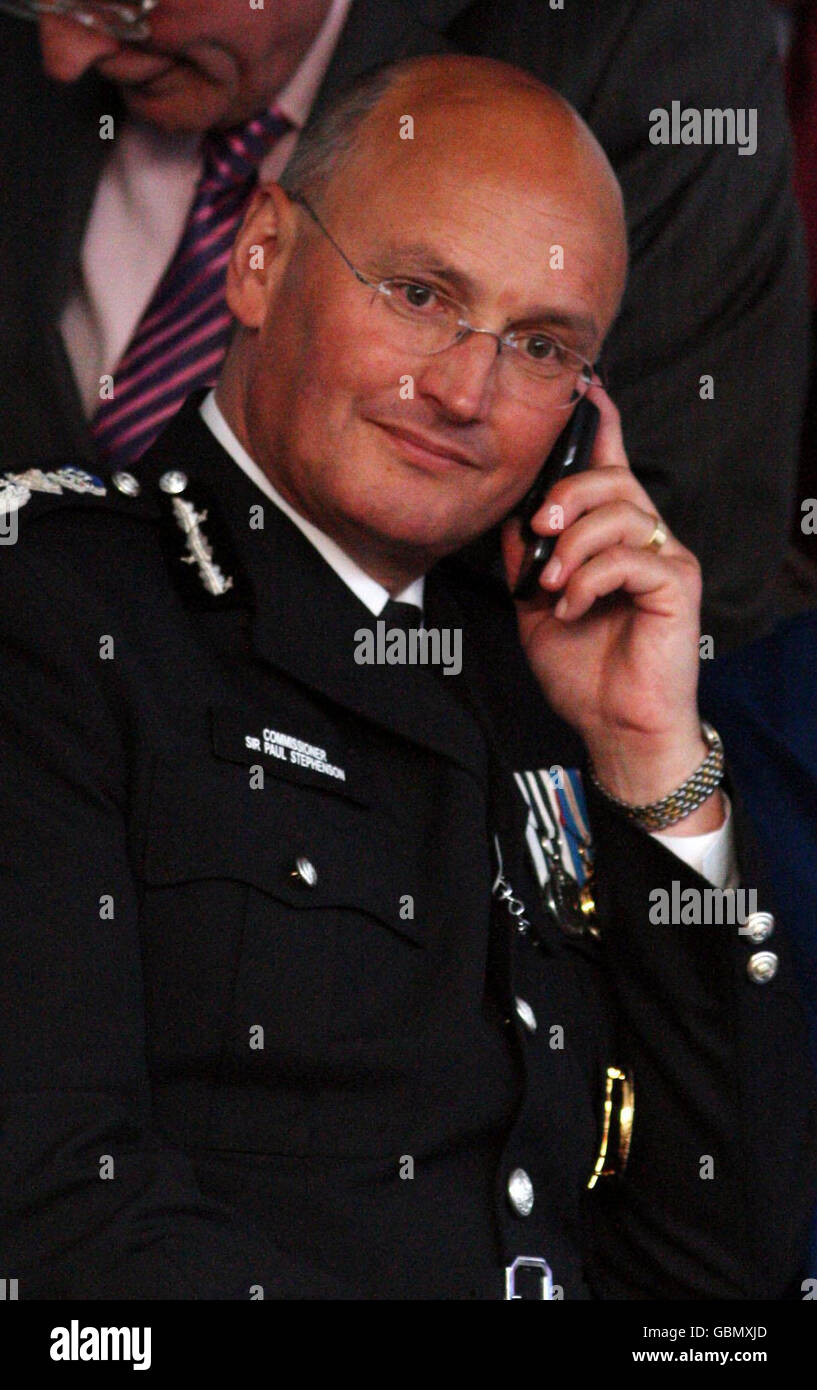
185 332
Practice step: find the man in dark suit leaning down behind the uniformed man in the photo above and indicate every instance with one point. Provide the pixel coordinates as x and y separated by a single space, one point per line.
708 358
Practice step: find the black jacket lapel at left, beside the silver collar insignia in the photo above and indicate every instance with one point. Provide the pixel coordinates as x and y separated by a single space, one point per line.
305 621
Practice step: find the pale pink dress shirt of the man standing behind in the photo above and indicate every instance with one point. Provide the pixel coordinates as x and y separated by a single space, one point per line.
140 213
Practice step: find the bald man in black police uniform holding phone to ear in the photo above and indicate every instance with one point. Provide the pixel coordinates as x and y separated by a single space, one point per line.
305 993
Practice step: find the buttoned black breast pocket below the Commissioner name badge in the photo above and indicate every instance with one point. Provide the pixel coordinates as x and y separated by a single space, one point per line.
284 924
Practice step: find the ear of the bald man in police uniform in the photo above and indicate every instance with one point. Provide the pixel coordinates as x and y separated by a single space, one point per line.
258 256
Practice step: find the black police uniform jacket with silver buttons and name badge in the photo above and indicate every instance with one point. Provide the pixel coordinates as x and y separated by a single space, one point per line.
223 1078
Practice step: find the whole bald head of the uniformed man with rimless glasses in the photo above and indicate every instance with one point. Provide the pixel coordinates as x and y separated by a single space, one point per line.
443 193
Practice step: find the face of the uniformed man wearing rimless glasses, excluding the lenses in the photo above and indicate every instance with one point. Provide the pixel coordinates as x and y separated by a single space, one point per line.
398 454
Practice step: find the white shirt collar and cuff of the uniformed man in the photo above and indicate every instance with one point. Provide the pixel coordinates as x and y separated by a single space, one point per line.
712 854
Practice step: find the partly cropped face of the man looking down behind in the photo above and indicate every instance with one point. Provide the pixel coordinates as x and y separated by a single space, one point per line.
208 63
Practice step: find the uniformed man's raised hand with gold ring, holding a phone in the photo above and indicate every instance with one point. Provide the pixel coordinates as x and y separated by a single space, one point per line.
612 636
